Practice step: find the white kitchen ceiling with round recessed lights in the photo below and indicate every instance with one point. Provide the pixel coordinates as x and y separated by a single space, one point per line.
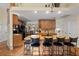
31 16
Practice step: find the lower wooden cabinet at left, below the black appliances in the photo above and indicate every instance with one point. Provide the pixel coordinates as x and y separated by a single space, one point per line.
17 40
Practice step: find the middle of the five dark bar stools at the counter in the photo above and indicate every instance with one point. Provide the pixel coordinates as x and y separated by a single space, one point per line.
47 44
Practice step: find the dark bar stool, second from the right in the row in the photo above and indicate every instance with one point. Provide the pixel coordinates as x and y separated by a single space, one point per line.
58 44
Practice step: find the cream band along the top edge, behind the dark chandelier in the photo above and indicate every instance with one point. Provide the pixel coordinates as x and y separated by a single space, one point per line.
43 4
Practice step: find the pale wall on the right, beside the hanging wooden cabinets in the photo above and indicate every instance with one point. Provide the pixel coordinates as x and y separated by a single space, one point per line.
69 25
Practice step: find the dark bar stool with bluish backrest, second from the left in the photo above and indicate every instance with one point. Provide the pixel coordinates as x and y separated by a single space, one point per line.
35 43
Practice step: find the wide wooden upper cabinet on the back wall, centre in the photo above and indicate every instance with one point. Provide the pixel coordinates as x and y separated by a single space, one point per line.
47 24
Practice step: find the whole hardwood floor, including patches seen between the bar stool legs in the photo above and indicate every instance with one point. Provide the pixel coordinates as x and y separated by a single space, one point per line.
19 51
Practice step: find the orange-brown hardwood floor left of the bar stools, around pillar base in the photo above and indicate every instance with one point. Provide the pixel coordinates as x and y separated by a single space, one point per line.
4 51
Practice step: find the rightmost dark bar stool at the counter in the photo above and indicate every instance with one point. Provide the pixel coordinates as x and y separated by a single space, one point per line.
71 44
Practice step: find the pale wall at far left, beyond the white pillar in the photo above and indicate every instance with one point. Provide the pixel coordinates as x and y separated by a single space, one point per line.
3 22
